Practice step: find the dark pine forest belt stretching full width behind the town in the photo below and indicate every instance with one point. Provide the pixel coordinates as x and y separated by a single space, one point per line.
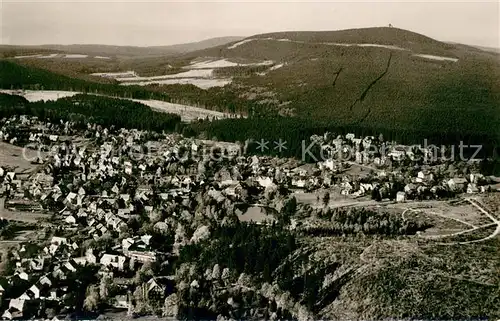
295 132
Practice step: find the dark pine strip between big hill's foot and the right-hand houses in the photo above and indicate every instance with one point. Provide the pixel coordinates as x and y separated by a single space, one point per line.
296 130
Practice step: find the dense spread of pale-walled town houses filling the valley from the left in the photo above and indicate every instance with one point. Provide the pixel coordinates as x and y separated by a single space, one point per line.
106 186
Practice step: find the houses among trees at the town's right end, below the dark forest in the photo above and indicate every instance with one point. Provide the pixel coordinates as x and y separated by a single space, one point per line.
398 172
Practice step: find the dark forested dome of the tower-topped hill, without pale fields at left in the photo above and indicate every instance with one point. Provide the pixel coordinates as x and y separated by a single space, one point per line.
378 77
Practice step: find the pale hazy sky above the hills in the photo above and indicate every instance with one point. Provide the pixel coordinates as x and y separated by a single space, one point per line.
152 23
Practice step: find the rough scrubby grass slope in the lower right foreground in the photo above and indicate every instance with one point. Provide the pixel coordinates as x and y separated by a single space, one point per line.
403 278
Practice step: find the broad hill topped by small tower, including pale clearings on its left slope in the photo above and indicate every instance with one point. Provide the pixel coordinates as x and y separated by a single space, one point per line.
372 80
